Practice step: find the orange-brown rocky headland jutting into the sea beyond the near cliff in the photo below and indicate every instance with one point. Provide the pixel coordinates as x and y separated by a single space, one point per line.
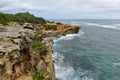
55 29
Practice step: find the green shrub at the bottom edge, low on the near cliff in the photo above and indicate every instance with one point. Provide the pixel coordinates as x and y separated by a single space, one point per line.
41 75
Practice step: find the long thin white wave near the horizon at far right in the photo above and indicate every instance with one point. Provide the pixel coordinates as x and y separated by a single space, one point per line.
113 26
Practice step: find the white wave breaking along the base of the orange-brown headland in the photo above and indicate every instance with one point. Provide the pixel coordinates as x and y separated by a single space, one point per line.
70 36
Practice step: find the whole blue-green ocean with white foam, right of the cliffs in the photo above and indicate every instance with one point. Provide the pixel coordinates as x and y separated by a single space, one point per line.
91 54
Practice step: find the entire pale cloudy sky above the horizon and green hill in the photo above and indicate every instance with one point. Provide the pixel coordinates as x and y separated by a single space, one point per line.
64 9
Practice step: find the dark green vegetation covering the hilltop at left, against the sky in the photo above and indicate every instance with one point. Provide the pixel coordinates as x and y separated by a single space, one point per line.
20 17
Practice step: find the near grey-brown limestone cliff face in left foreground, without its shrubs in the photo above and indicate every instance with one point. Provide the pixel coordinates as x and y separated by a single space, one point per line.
18 59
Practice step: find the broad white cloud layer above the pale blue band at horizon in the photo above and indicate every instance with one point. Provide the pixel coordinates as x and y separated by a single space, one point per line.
62 7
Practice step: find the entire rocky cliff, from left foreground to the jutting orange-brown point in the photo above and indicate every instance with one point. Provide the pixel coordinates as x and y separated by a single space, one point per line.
24 54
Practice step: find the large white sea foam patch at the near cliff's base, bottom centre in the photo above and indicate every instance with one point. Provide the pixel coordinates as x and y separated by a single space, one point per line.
66 72
